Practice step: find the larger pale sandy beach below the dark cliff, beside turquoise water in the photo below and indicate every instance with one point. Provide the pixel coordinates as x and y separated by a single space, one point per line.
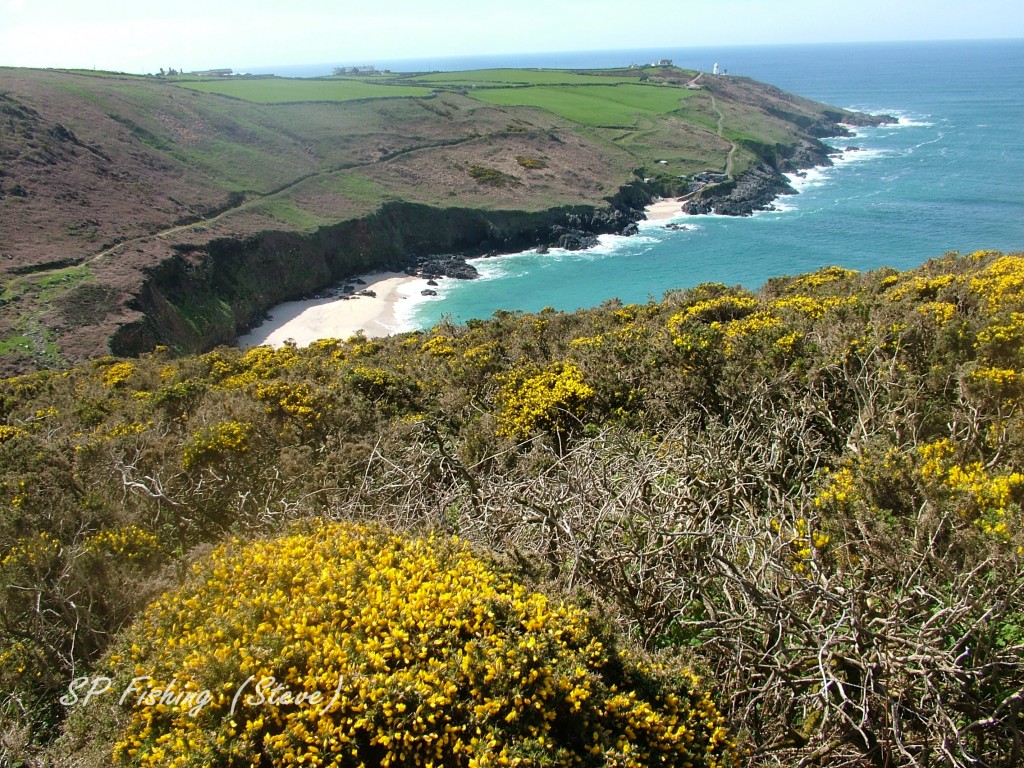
306 322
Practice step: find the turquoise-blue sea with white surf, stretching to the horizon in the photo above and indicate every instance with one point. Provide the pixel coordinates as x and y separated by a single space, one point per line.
950 178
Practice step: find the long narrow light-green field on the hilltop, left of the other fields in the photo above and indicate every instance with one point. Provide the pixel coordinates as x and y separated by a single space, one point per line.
282 91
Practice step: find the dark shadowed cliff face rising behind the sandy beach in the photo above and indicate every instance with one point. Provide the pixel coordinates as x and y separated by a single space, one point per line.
203 297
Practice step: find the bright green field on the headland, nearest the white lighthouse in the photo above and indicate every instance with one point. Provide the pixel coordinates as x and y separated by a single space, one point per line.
595 105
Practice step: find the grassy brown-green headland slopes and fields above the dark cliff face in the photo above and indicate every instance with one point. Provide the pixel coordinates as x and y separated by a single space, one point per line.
115 177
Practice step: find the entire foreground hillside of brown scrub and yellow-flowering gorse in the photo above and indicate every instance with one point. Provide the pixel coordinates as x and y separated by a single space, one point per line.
809 495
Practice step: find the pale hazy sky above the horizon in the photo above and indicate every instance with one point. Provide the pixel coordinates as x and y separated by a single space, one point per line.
147 35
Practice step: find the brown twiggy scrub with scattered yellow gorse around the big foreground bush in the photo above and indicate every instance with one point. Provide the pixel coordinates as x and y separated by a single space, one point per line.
695 421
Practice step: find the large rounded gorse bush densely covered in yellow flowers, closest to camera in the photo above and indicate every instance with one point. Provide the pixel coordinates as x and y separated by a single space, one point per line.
393 653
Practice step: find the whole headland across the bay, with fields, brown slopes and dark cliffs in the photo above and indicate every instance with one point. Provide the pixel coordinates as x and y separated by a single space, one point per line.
144 211
